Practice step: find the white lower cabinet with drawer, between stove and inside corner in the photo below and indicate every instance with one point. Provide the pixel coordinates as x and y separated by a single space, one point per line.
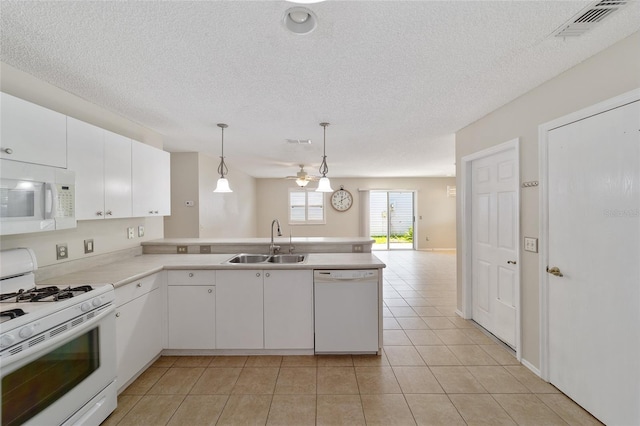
138 326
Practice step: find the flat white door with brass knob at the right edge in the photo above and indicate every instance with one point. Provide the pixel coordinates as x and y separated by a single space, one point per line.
594 241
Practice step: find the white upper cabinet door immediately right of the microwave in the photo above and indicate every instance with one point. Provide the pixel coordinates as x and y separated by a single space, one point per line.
86 145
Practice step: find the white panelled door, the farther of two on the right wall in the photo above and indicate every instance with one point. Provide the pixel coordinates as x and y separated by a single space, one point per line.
494 243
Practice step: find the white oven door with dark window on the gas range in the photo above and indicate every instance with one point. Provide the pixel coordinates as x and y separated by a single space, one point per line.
63 376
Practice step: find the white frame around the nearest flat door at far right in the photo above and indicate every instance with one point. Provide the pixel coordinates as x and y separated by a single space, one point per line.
543 164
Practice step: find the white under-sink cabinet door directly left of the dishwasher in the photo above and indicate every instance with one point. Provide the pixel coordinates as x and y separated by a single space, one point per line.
288 309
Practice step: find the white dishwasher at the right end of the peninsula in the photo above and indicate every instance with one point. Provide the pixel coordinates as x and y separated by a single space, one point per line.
346 311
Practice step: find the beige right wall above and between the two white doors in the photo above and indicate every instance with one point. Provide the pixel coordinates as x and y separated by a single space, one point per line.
609 73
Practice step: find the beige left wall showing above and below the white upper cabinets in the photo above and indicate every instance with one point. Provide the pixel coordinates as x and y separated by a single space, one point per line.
108 235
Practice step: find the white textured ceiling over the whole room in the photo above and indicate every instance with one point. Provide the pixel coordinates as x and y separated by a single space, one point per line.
396 79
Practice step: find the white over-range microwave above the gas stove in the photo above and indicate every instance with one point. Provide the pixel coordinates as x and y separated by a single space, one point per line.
35 198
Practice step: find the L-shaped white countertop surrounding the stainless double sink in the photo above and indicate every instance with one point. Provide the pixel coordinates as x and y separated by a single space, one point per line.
124 272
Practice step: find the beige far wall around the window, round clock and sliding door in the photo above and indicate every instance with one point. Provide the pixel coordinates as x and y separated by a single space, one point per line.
437 210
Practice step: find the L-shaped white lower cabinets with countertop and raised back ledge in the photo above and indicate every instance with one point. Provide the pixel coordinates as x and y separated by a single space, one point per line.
201 304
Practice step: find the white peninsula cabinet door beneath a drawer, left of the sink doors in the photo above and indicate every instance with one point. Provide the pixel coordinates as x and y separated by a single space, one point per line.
192 317
